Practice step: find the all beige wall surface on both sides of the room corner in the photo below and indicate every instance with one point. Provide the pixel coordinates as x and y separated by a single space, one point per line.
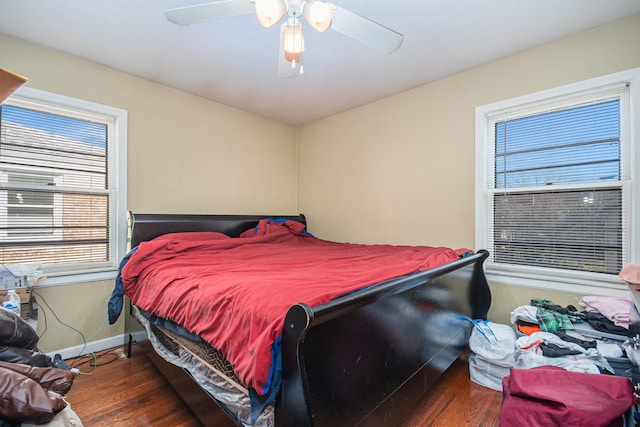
400 170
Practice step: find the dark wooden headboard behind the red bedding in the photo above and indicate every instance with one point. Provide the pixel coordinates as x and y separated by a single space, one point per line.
144 227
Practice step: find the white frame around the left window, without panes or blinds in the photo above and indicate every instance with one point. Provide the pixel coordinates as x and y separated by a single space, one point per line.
117 180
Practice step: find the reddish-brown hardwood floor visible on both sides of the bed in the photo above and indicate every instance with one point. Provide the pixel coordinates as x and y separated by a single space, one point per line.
130 392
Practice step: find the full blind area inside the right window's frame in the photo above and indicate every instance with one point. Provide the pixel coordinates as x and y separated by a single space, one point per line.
557 192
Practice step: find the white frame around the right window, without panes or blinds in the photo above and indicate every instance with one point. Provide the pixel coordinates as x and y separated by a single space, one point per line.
555 279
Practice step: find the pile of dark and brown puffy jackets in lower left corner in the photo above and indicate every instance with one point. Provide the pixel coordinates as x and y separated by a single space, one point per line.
32 389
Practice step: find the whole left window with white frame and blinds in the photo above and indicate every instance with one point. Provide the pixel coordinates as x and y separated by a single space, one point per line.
62 185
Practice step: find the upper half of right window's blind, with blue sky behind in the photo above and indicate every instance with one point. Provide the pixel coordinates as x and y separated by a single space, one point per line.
575 145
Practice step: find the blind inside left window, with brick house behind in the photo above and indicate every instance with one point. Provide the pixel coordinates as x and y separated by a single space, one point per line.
54 188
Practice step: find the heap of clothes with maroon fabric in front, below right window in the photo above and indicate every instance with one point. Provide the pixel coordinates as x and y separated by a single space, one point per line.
562 348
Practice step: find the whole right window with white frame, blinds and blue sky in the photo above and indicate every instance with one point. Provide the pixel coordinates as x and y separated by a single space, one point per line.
556 193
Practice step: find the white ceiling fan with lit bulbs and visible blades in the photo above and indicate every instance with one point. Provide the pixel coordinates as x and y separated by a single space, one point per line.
319 14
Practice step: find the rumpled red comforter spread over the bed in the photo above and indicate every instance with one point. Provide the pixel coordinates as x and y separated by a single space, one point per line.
235 292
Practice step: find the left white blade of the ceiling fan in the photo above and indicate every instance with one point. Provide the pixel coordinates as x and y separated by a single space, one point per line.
209 11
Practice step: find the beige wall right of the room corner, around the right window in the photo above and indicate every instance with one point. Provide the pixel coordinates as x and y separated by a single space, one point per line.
401 170
